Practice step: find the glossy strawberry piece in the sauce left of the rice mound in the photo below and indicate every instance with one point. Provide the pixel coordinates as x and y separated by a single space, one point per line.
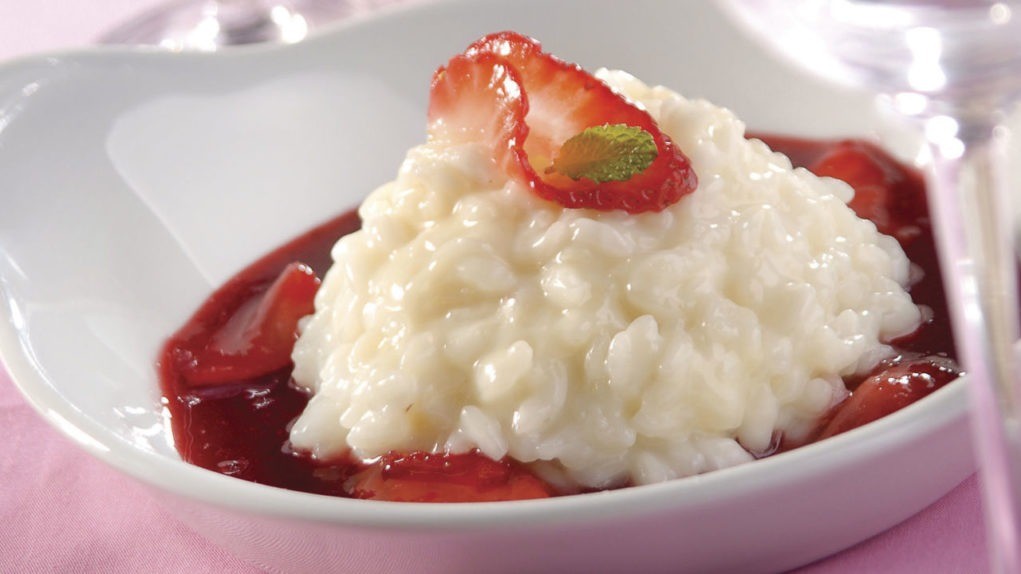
259 337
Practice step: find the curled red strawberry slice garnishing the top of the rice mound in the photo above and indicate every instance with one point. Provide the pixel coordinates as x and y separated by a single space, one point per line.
505 90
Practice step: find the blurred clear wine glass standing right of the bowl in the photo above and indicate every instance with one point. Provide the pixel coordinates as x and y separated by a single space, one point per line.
952 70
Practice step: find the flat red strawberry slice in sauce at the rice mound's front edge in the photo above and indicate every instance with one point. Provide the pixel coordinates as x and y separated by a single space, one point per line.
472 477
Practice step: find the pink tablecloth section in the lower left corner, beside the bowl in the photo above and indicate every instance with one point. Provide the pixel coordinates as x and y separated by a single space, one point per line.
64 511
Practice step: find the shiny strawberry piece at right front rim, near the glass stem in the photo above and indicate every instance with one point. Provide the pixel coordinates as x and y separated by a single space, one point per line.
891 390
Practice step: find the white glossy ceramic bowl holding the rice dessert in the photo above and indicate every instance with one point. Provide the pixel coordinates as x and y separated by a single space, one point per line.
134 182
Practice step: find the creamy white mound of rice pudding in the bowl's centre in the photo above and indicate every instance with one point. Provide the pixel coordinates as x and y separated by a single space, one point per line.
601 348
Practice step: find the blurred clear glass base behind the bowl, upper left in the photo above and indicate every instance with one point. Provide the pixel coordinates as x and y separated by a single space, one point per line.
211 25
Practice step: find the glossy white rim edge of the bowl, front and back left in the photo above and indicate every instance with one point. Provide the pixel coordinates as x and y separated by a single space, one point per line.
944 408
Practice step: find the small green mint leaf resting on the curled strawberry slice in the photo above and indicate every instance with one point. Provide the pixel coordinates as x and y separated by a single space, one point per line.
607 154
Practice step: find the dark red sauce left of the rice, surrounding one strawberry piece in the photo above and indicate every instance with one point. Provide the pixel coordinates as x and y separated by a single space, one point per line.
241 428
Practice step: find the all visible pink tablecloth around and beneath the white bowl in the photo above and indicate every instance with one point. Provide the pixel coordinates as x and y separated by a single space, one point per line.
62 511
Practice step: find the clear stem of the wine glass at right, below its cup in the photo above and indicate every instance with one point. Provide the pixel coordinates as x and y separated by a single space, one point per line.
975 221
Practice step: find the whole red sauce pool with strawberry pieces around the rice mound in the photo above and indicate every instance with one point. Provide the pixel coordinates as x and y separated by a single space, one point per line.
239 425
